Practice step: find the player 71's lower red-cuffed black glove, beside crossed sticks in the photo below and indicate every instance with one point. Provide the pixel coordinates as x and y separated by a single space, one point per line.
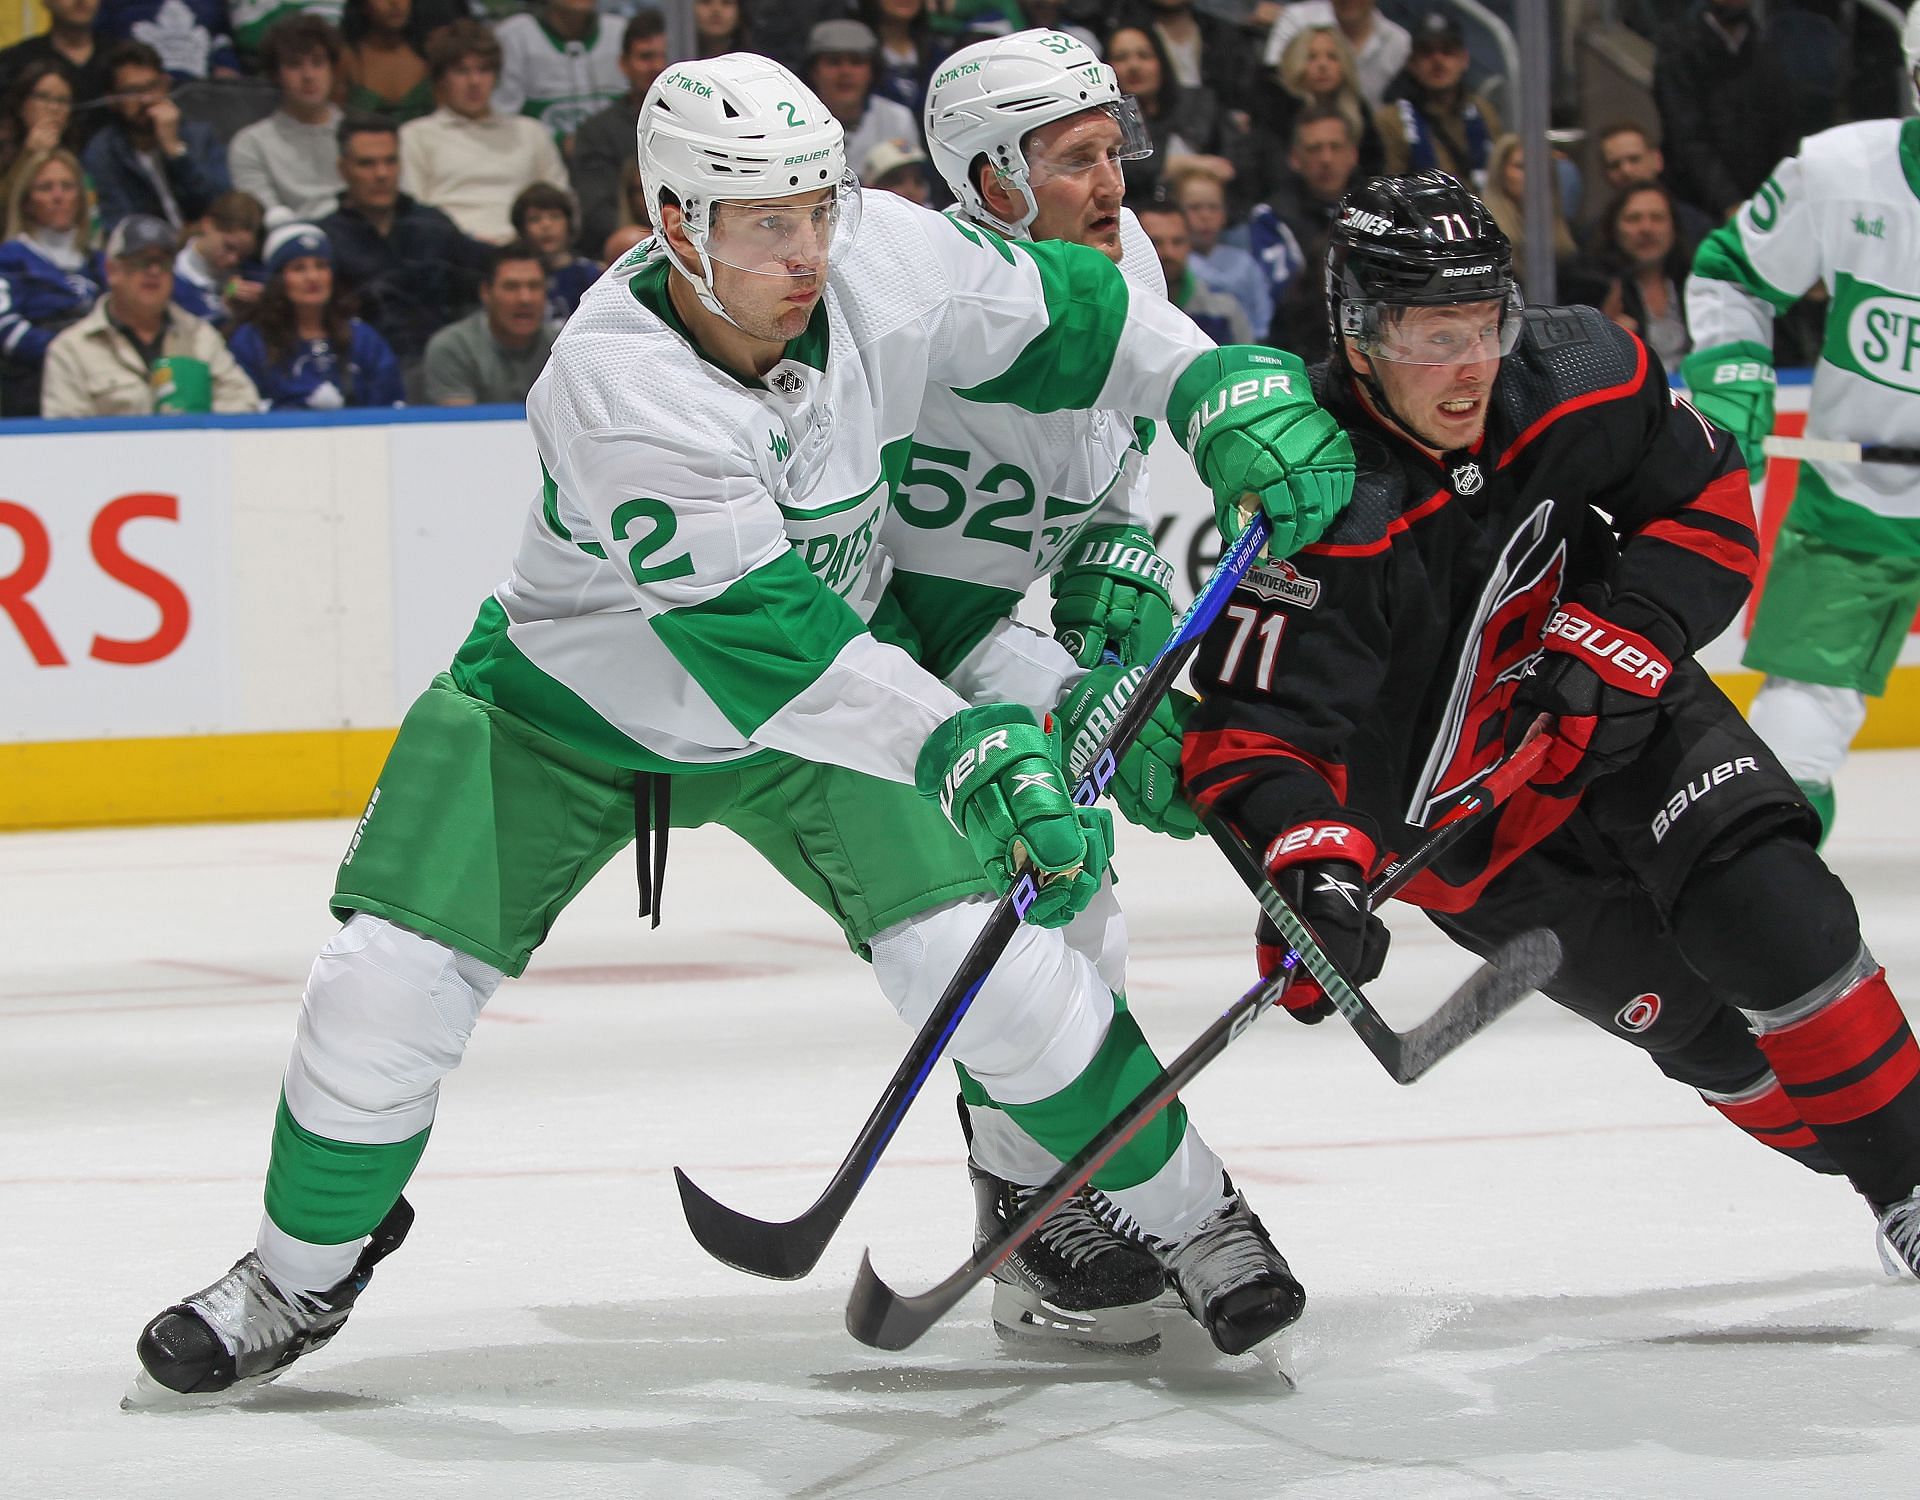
1320 869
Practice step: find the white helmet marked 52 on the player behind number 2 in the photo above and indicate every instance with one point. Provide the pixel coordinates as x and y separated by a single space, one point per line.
990 97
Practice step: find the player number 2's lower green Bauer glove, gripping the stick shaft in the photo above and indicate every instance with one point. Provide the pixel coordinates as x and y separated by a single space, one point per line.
997 779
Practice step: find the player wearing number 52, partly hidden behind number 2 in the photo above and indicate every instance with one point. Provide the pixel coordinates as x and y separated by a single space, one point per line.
1030 133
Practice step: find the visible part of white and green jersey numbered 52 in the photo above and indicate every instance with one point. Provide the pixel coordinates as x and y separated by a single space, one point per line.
994 495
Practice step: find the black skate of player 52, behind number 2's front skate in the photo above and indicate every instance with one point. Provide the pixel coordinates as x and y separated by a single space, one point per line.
1076 1280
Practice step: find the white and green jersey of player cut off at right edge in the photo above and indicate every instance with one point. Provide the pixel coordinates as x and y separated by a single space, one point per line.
1846 212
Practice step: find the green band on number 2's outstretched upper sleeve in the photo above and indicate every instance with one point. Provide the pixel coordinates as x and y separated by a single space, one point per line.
1086 316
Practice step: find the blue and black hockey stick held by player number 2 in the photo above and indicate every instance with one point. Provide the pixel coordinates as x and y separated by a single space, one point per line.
788 1251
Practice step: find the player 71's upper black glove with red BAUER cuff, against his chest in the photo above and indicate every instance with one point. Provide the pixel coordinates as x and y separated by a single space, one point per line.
1598 679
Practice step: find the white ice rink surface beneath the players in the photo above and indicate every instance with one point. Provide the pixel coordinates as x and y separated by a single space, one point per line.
1539 1272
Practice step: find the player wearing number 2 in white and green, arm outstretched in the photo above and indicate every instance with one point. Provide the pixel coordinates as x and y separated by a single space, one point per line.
696 631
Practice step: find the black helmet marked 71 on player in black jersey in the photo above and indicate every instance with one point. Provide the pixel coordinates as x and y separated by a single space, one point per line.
1408 243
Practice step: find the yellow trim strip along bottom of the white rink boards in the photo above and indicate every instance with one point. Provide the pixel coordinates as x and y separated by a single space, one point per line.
329 773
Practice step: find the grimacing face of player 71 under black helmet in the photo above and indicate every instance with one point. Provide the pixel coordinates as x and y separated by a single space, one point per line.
1439 370
